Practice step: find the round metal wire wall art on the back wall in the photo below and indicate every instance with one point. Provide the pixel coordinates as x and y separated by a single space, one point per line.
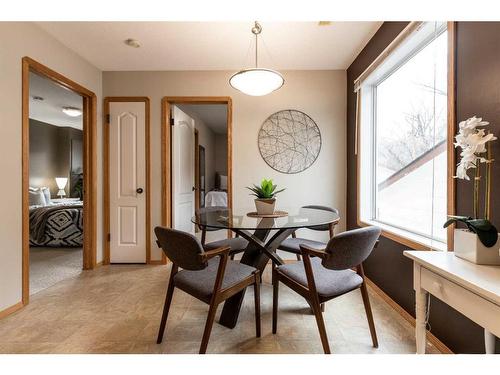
289 141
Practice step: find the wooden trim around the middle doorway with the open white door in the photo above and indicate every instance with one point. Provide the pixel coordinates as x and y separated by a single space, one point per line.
166 150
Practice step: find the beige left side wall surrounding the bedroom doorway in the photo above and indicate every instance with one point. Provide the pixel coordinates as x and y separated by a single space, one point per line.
19 39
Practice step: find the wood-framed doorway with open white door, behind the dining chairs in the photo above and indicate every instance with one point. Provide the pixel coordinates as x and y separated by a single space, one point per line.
202 176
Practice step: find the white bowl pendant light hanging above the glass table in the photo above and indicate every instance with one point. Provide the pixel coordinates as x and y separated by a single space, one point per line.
256 81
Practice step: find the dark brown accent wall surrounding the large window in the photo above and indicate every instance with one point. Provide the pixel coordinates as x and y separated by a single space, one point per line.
478 92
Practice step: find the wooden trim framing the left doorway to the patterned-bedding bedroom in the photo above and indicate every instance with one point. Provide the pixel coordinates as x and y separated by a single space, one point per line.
89 114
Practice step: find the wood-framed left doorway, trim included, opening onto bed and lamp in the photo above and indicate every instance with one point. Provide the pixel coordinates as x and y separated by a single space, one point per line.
59 177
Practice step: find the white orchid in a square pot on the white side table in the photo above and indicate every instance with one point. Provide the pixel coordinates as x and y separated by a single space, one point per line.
479 242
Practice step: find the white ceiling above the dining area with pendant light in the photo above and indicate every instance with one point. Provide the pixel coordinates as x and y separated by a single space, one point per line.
214 45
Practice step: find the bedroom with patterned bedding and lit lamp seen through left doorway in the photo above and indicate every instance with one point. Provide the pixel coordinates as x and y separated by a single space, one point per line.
55 183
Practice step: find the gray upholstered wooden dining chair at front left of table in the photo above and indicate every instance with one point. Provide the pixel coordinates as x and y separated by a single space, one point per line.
204 277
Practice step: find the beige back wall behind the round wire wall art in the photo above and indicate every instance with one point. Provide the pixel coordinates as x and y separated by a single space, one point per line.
320 94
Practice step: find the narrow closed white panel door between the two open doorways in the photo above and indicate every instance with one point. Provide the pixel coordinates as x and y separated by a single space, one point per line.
127 180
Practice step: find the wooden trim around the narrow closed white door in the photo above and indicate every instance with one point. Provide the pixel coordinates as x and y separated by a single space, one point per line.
147 130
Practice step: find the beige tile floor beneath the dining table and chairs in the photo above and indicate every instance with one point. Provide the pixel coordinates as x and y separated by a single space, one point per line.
116 309
